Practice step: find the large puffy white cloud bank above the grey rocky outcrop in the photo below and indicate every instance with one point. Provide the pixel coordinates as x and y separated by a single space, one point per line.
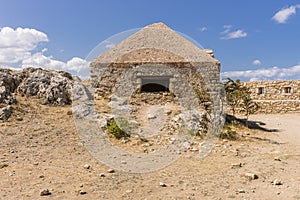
17 46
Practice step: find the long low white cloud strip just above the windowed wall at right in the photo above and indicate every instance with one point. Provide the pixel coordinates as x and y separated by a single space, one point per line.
273 73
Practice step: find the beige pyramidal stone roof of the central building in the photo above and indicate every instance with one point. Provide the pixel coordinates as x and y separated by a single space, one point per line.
155 43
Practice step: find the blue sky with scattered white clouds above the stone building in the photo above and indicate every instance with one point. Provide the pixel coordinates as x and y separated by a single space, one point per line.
254 40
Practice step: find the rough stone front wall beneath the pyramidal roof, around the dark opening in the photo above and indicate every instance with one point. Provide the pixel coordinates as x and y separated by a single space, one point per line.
188 83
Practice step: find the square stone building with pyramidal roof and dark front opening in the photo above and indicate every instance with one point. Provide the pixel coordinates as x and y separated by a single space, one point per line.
157 59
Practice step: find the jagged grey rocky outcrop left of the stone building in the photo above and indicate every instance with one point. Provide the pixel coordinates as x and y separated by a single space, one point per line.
54 87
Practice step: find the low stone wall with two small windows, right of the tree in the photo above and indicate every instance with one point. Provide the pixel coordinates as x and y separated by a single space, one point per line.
276 96
